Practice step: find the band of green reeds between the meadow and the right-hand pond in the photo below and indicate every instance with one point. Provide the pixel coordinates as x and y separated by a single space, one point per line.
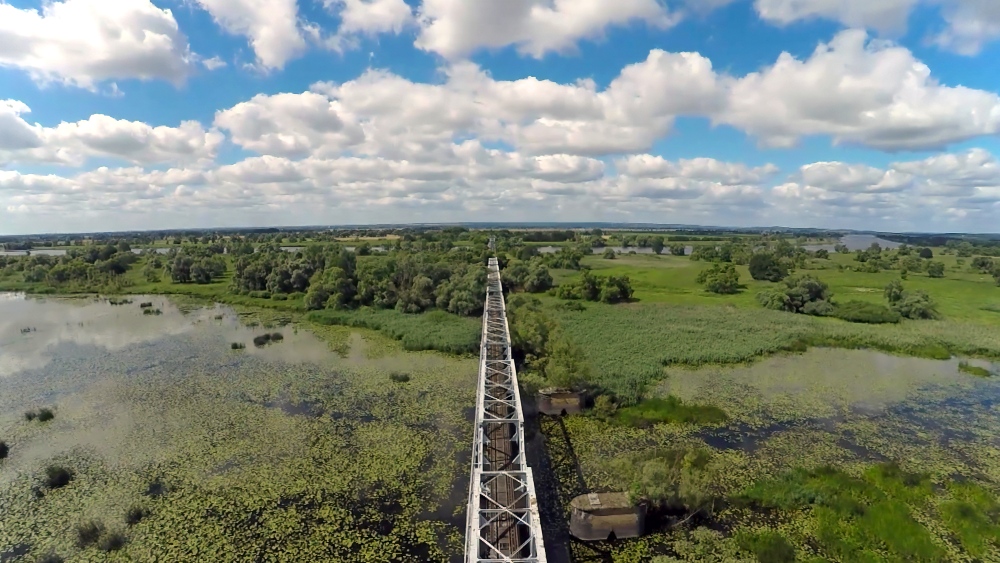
648 337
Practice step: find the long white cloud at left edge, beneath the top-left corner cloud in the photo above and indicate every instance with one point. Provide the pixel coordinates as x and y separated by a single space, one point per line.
102 136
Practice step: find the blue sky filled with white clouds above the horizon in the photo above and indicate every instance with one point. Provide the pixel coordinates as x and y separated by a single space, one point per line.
155 114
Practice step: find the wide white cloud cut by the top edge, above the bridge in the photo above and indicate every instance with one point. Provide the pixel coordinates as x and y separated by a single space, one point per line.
457 28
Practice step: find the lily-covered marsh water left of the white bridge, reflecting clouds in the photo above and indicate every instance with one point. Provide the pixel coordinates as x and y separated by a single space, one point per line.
302 449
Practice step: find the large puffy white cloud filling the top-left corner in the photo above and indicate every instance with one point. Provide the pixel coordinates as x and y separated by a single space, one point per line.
84 42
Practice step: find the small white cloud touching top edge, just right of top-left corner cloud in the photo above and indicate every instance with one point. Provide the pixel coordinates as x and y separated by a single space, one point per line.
272 27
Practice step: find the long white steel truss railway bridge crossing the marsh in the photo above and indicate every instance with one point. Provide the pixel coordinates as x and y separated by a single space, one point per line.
502 523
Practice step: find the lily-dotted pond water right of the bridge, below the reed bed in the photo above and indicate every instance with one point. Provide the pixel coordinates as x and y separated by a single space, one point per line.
873 405
